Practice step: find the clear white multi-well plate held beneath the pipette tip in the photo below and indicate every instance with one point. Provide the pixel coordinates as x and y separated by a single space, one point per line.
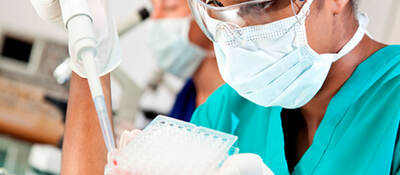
172 147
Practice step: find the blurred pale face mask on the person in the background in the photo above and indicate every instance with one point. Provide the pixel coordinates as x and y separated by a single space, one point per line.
169 41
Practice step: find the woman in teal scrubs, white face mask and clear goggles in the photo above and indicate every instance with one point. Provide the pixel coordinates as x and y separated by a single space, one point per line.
307 90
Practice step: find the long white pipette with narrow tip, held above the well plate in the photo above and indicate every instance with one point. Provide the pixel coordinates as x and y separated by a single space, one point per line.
83 43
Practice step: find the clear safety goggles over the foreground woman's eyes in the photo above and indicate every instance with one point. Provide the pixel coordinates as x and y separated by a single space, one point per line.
225 20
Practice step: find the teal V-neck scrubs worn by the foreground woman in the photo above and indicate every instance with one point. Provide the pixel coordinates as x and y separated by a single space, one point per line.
359 133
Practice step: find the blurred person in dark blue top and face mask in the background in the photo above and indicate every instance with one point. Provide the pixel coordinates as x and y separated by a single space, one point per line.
181 49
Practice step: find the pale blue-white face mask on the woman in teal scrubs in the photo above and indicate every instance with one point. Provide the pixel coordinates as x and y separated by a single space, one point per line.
278 67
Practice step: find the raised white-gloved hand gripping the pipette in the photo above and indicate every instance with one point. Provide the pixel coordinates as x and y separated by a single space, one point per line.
108 52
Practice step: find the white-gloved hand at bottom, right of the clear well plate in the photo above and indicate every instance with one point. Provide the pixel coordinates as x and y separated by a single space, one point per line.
244 164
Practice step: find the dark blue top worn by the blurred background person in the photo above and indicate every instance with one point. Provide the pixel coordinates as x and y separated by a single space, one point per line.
185 102
